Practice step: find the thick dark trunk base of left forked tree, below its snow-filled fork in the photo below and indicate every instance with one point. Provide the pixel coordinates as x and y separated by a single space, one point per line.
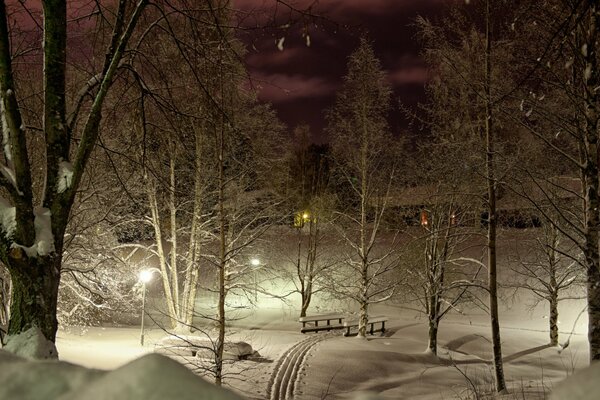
35 284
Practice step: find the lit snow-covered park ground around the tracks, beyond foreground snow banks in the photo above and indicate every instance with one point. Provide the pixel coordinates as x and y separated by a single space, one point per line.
392 365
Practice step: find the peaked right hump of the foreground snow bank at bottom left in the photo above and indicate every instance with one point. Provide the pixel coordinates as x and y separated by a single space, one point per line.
152 377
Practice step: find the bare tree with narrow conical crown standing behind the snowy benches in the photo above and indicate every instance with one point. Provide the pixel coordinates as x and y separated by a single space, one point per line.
364 161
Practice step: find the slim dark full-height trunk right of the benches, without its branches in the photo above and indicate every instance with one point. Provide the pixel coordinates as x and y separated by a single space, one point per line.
491 183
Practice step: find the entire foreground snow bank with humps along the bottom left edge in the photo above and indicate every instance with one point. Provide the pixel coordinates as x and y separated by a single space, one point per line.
151 377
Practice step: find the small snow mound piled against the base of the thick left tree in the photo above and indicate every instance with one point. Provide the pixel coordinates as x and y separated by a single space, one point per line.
31 344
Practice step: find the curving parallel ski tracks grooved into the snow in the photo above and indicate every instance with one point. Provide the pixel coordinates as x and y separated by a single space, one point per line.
287 370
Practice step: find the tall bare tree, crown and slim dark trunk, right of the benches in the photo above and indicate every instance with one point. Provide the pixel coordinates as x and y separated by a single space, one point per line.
470 56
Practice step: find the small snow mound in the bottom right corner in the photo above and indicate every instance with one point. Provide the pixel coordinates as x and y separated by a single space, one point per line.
583 385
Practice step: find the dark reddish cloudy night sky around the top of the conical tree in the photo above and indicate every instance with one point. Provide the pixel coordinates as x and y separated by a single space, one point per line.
301 81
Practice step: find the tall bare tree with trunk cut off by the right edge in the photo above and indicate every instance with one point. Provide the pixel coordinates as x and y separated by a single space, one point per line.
562 67
